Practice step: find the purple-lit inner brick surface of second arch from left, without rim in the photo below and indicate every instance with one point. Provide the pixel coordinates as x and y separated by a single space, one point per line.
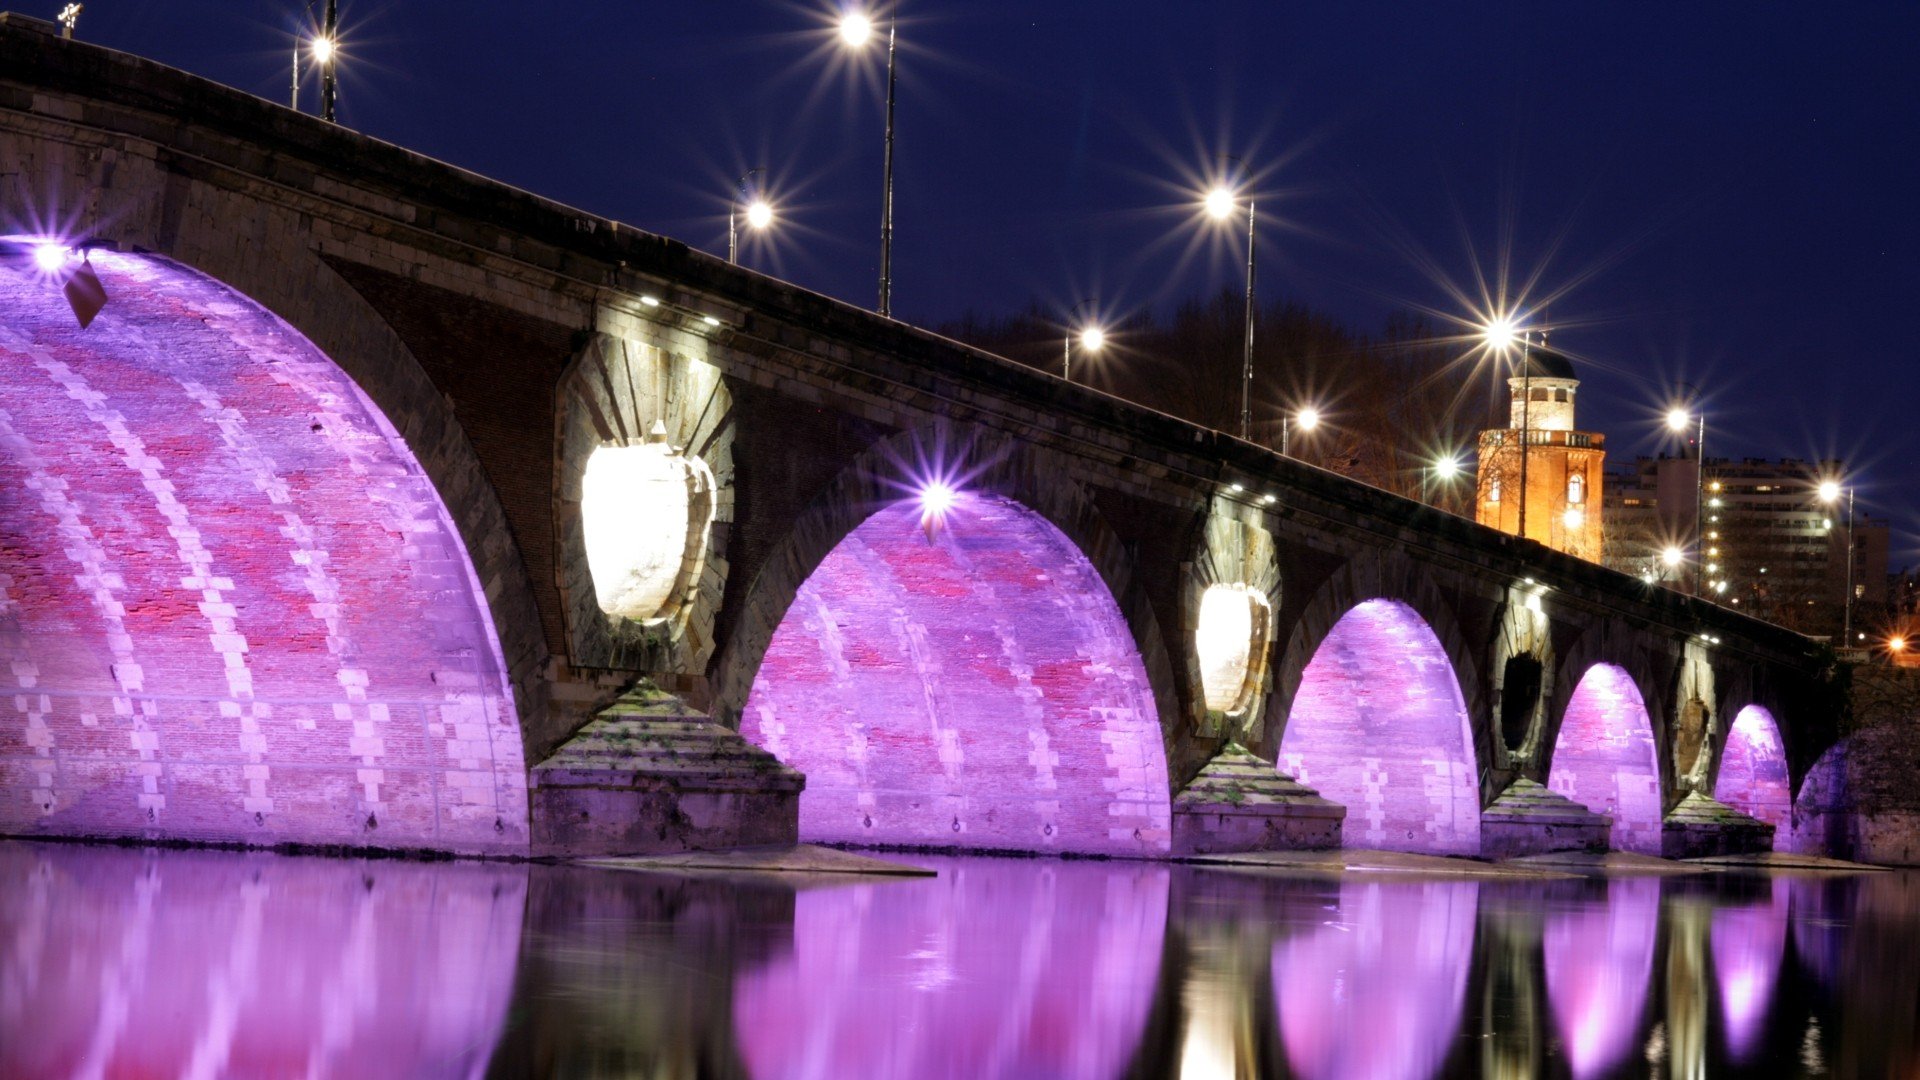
980 691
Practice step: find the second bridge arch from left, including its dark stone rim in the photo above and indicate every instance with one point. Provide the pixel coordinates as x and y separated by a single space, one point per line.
1026 697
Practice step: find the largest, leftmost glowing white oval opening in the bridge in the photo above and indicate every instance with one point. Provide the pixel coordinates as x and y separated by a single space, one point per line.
642 516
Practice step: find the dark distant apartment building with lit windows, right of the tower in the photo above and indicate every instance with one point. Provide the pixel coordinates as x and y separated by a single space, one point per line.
1769 545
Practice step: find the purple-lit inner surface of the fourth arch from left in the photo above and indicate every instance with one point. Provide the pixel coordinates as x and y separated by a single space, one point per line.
1604 758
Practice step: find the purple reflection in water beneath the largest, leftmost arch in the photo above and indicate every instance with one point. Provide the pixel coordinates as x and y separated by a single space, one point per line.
201 964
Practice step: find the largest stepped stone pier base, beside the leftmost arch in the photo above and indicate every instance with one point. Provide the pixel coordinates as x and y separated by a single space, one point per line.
648 775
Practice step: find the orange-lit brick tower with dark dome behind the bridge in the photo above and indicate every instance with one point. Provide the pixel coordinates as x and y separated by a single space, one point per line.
1560 468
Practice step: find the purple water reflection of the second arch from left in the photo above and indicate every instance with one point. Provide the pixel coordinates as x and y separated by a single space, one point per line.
992 970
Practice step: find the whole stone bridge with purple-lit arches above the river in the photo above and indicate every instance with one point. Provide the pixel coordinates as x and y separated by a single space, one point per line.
389 506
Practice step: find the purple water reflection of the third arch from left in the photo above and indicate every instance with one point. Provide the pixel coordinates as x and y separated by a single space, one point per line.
1378 991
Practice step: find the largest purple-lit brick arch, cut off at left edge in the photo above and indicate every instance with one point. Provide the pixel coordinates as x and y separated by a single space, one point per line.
237 608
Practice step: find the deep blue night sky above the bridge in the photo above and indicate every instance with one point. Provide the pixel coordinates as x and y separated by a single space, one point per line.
1712 193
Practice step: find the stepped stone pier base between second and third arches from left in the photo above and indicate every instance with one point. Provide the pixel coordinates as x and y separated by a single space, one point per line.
1243 804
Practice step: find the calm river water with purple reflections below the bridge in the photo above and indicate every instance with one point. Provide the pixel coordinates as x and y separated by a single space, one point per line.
212 964
